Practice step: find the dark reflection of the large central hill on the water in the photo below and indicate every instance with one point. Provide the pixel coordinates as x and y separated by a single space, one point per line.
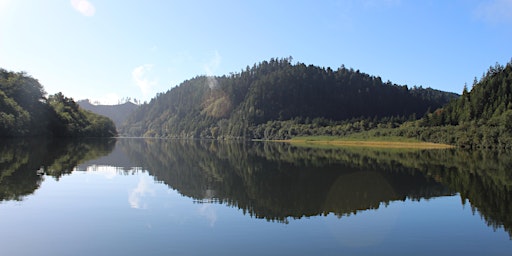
299 184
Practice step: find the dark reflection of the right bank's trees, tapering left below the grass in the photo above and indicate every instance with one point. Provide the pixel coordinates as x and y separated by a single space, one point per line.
483 178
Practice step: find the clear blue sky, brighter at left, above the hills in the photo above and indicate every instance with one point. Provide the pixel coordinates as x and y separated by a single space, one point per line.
107 50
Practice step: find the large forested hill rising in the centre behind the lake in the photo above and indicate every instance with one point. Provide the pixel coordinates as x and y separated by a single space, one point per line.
245 104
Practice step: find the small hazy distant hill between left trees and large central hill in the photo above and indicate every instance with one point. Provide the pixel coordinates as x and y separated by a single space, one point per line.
118 113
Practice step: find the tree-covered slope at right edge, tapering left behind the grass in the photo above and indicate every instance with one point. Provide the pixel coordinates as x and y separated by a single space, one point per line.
480 118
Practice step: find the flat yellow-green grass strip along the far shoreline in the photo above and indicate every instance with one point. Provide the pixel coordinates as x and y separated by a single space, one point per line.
360 141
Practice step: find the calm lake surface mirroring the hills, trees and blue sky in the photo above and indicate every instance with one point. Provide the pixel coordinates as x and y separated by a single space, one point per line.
160 197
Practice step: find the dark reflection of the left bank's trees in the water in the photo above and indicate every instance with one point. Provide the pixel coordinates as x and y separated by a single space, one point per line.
23 161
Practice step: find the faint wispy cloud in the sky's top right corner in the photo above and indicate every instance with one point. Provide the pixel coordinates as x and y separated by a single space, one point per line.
495 11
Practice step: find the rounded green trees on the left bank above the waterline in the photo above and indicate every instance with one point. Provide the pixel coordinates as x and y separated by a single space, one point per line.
25 111
